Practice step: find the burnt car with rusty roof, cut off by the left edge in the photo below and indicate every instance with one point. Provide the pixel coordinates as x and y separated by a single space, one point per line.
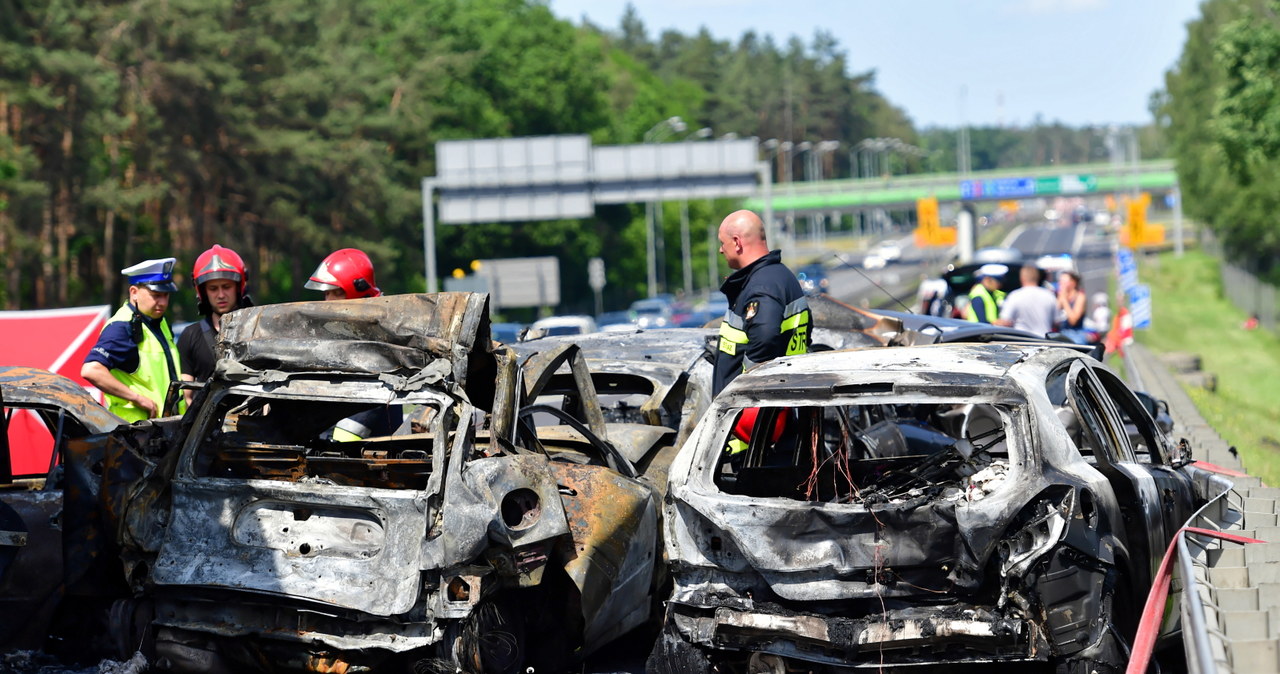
53 414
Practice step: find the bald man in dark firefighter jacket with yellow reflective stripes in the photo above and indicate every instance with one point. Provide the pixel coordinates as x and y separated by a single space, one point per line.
769 315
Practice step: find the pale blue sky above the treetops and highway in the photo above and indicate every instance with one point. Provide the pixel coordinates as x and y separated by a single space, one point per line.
962 62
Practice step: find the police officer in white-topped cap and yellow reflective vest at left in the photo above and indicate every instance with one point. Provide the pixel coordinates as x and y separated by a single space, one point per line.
135 357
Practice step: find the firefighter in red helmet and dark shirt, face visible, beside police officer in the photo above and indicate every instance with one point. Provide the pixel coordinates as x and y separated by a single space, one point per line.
220 279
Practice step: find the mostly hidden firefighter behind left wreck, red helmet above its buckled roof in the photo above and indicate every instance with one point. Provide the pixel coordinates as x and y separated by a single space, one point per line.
349 274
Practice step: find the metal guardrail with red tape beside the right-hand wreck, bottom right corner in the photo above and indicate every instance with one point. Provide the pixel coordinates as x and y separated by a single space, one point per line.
1204 645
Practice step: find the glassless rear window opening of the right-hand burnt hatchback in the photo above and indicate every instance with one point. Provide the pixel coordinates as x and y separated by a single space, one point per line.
867 453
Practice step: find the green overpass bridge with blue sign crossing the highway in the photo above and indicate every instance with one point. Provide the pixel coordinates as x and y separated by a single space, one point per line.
903 191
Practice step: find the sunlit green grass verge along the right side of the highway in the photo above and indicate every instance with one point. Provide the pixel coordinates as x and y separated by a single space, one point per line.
1190 313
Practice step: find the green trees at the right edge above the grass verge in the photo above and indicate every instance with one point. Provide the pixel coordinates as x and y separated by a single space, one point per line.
1222 114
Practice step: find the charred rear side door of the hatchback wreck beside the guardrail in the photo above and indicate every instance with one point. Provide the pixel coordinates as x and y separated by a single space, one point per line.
1104 435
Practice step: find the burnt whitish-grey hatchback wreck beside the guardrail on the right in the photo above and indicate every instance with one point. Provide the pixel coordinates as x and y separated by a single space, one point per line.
953 503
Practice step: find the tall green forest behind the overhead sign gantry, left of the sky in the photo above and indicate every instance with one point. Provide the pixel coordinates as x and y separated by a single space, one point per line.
290 129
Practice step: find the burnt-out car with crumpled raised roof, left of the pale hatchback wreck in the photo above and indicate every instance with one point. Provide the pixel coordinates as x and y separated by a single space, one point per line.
465 539
